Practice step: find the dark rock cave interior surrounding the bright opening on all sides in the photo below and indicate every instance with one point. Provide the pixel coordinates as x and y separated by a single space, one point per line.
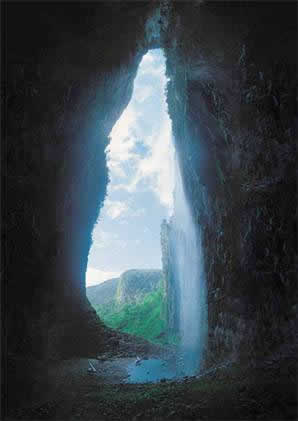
68 74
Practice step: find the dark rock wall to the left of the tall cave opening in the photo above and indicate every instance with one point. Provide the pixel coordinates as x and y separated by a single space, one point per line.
68 76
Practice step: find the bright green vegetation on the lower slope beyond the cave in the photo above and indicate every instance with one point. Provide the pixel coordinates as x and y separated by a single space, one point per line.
144 318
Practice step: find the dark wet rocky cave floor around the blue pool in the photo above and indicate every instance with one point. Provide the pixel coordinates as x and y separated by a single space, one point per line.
73 390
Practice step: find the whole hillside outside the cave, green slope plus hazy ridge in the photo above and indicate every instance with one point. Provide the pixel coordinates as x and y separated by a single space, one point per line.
133 303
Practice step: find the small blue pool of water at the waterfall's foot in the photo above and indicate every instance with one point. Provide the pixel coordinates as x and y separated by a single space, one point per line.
151 370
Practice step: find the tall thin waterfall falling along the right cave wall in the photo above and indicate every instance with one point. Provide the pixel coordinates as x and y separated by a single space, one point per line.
189 280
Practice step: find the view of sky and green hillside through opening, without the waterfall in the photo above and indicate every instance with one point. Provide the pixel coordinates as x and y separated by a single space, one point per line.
124 277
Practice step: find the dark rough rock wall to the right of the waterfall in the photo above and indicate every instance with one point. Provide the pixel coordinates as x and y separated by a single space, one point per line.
232 101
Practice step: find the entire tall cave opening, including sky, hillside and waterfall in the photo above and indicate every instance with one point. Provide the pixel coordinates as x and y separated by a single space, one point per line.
145 221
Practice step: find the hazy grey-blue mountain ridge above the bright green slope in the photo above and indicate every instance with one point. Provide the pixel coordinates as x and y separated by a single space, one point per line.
132 286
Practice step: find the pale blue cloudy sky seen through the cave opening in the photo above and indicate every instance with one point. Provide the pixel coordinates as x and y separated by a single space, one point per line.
140 158
